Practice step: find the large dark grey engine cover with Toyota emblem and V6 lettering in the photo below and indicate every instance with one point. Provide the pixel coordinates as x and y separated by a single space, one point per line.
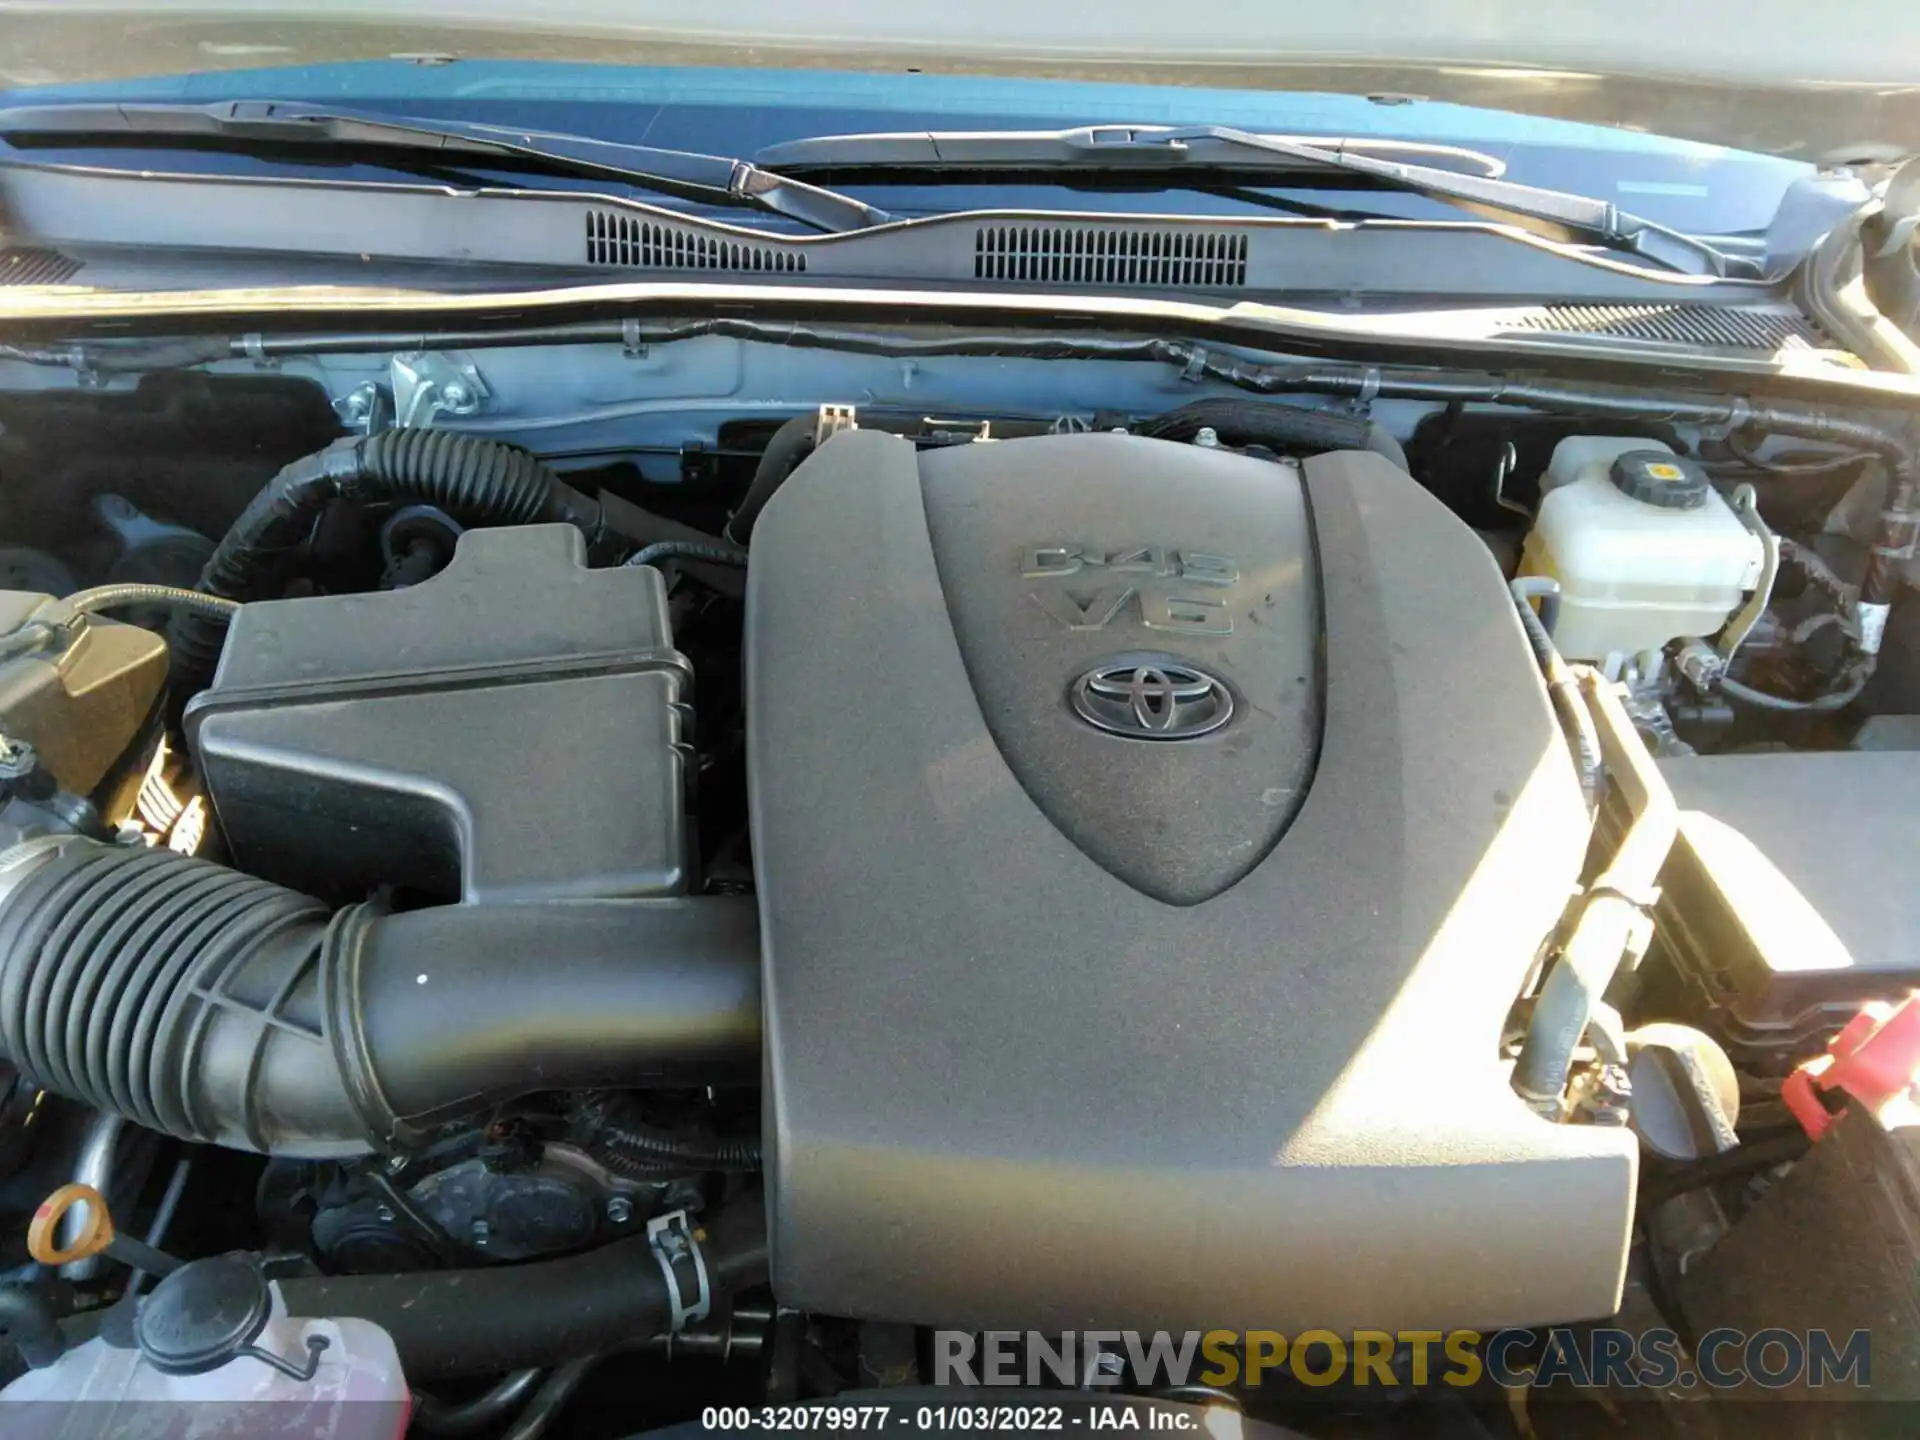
1151 844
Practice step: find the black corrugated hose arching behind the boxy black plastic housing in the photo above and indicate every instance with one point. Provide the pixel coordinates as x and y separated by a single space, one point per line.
475 481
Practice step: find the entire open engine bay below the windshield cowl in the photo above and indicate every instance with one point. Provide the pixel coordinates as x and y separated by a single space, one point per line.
560 863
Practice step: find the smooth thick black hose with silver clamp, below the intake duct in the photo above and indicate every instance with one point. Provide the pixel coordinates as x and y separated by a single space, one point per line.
485 1322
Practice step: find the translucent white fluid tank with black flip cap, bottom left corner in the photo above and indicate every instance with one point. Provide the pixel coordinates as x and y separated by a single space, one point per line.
214 1349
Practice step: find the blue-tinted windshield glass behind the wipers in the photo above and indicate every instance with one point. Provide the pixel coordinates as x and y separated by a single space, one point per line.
1681 185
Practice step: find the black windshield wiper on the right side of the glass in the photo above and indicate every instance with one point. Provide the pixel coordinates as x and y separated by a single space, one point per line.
1451 174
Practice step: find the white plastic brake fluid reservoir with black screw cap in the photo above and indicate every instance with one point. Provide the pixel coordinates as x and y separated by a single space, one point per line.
1644 548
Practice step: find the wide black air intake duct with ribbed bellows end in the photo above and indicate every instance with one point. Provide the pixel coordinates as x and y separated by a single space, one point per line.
216 1007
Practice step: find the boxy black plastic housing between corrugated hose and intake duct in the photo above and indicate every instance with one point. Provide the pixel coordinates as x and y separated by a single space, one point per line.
508 731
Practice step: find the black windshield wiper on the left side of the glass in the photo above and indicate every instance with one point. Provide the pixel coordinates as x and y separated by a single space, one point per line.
719 180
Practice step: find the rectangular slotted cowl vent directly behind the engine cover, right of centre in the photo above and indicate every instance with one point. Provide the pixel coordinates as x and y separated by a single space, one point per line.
1068 254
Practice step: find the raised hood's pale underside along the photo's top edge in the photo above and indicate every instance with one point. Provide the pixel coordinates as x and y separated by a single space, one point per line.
1836 82
